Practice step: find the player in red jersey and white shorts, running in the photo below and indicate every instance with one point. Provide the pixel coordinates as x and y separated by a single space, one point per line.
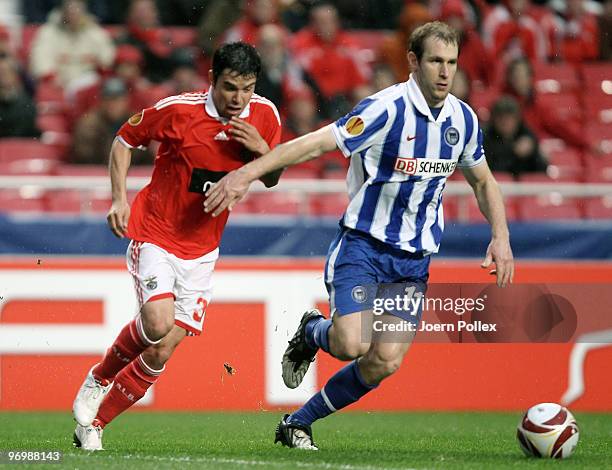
174 244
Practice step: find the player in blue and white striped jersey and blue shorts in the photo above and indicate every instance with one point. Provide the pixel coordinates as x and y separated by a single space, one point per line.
403 143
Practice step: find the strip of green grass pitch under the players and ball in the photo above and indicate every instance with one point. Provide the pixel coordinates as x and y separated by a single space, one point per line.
347 441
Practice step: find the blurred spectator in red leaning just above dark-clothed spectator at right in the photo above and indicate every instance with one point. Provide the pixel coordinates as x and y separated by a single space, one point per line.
519 84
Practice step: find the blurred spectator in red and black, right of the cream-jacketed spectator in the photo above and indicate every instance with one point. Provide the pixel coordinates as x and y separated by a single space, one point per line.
143 30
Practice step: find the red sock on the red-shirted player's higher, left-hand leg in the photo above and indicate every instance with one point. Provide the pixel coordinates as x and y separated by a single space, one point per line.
129 344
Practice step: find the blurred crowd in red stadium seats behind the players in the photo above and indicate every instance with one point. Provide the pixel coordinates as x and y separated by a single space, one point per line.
538 73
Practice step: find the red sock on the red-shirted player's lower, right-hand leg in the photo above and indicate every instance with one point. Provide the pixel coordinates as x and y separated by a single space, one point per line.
130 386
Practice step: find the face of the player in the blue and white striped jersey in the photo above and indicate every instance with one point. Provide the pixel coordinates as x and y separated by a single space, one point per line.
436 70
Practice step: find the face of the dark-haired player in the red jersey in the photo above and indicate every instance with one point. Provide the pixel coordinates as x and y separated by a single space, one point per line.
232 93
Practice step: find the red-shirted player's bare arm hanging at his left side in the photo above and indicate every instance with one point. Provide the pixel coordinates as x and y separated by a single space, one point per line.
119 213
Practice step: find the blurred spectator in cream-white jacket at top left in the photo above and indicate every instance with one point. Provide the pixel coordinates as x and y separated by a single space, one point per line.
70 45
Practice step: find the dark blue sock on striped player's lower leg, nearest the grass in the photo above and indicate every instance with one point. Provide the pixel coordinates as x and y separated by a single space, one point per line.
345 387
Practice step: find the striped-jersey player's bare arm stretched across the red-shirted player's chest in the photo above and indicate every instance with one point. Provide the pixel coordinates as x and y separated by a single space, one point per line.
233 186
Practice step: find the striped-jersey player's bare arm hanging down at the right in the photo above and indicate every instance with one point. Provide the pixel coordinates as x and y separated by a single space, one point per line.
491 204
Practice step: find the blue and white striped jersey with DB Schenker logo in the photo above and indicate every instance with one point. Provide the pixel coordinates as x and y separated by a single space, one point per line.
400 159
